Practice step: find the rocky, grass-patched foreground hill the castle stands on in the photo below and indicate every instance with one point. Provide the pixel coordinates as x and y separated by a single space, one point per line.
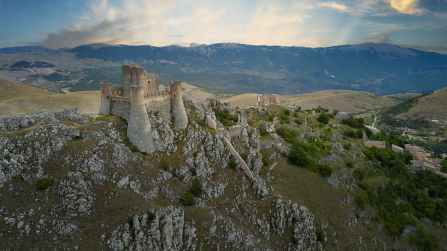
73 182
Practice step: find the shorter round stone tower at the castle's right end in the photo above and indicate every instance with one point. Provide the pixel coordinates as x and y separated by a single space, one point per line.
178 111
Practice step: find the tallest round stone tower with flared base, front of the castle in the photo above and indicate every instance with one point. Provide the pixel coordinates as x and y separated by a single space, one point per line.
139 130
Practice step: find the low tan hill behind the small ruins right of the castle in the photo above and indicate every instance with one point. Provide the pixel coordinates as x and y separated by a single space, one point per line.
341 100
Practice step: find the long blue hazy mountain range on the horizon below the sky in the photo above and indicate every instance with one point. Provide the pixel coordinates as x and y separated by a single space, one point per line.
378 68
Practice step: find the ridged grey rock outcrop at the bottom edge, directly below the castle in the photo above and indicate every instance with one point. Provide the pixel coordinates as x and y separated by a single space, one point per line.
158 229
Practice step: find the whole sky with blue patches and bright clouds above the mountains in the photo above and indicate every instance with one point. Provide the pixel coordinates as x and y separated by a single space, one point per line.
311 23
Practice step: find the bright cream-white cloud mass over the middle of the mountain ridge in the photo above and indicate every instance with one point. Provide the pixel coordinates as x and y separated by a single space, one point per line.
166 22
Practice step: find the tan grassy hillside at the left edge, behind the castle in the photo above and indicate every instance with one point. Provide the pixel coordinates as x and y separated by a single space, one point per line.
20 99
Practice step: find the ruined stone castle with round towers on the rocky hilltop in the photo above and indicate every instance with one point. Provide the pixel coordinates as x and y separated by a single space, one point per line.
139 94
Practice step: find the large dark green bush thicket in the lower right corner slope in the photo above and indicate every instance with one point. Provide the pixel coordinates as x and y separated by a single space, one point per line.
402 198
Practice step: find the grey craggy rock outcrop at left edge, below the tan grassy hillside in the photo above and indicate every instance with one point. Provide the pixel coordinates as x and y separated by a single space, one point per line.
24 149
